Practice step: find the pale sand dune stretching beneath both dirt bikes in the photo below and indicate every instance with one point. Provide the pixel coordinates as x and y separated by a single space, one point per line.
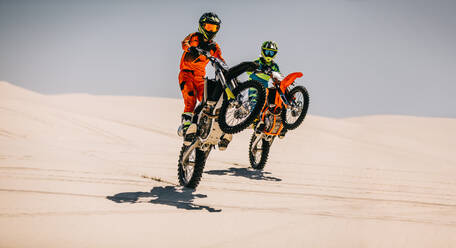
100 171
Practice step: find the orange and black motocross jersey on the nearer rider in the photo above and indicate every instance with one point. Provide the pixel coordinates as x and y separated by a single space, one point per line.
194 62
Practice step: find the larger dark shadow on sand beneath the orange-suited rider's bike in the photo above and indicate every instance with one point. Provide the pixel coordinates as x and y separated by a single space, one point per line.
169 195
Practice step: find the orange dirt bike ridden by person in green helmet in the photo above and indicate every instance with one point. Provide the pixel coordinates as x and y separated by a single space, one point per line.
285 109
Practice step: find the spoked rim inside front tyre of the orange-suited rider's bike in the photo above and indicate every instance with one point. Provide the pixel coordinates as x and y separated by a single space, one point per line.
239 110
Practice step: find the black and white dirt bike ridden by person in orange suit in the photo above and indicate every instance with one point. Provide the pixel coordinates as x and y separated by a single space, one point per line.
225 109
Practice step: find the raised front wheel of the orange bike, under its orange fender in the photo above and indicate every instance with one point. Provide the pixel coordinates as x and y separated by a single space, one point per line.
294 114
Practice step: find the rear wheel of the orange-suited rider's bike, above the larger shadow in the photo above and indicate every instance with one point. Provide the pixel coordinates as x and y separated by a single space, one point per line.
191 170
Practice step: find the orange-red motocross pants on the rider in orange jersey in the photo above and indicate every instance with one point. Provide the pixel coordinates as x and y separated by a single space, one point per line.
192 87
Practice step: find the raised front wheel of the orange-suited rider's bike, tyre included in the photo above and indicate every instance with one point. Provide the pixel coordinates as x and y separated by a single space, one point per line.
239 113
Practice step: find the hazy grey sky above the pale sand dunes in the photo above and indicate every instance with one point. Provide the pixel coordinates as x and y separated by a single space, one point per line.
358 57
